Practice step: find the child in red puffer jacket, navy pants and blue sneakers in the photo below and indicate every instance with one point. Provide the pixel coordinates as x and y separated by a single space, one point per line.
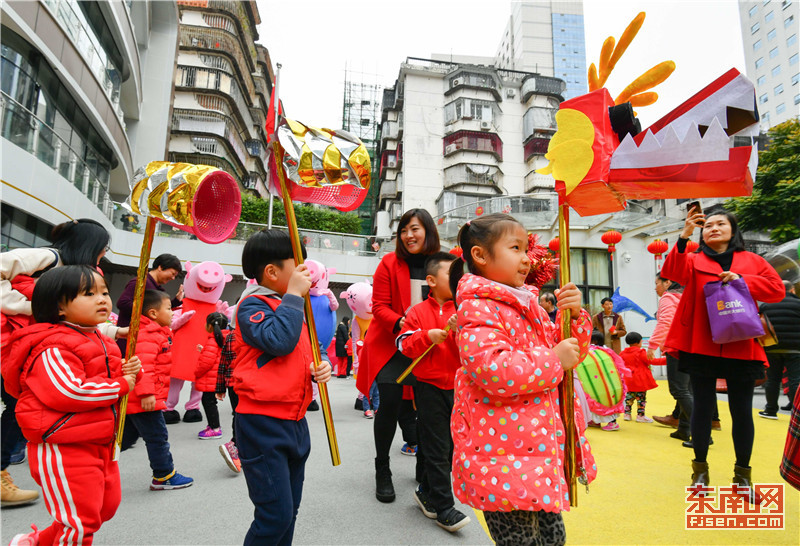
148 399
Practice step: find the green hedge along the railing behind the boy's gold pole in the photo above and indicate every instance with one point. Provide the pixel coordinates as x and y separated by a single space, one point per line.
256 210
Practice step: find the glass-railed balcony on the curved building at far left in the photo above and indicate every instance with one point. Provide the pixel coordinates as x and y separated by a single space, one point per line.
23 129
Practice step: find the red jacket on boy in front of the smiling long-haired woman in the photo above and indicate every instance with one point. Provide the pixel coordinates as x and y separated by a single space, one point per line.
439 366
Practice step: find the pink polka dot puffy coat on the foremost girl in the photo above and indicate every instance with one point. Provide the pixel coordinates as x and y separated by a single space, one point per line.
507 430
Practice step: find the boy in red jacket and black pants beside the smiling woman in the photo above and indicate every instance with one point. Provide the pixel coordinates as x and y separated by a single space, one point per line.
425 326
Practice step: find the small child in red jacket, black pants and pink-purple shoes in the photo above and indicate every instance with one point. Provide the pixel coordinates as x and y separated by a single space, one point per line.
206 373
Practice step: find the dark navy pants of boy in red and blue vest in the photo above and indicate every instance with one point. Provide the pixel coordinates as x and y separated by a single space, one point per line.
273 453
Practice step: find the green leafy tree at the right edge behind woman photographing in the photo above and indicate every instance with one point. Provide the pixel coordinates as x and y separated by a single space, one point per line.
774 205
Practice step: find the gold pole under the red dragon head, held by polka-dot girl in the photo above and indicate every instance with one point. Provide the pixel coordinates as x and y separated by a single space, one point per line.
567 385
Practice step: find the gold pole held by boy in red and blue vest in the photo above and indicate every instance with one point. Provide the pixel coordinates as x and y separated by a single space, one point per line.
294 234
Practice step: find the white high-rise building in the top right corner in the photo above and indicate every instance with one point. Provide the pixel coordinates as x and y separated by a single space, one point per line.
772 56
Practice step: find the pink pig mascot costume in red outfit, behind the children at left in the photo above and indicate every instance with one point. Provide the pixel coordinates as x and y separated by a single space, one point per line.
202 287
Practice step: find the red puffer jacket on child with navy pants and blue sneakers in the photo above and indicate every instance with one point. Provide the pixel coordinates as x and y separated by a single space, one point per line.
154 349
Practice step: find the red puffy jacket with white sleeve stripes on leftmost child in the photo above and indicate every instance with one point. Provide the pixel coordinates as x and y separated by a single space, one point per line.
67 380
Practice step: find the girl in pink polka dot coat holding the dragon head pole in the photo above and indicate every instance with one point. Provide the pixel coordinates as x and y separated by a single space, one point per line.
506 424
